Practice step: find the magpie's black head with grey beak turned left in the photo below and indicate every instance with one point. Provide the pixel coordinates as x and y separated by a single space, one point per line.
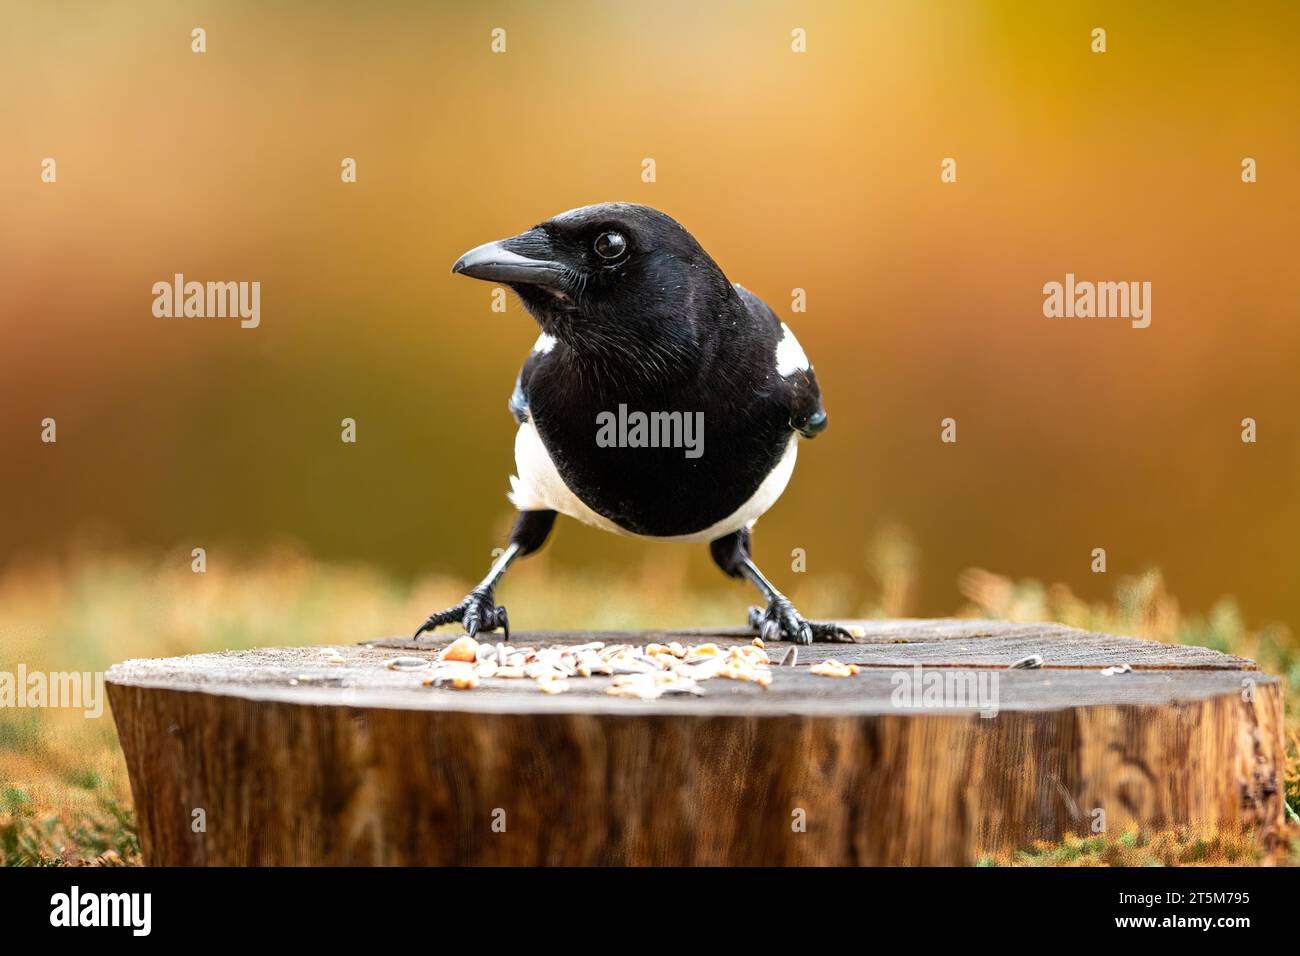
614 271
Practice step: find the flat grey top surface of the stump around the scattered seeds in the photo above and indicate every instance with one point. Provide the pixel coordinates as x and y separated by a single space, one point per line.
1071 674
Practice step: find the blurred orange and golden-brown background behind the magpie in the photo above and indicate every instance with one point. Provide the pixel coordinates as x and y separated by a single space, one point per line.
817 171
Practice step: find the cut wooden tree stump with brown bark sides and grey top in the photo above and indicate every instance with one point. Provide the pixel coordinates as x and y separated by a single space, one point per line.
276 756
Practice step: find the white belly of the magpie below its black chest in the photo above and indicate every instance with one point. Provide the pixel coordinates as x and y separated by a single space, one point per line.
539 487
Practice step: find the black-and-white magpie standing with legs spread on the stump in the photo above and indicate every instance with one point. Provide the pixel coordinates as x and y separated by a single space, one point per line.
635 315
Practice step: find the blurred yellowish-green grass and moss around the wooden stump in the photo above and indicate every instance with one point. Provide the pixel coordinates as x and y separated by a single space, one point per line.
64 793
